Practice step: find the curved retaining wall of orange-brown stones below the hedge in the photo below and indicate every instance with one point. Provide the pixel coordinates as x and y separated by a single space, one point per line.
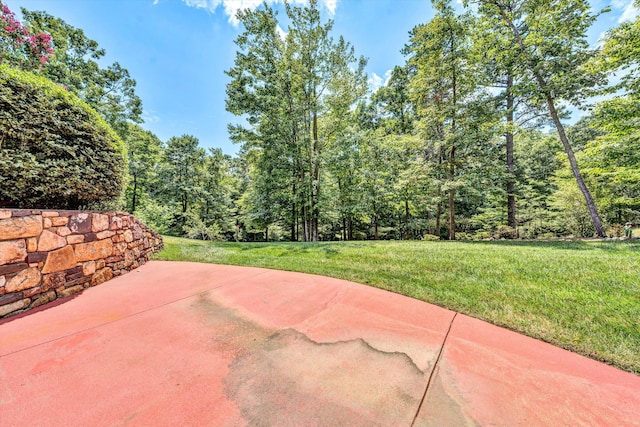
46 255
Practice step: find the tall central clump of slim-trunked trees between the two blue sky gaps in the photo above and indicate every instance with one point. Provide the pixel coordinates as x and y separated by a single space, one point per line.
294 91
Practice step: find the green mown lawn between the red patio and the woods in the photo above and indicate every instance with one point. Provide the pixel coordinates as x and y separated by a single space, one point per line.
583 296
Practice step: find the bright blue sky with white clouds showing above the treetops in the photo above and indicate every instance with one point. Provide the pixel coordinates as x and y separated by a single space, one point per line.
178 50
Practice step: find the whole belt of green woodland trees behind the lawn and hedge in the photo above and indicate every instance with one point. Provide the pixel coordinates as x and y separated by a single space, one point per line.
466 140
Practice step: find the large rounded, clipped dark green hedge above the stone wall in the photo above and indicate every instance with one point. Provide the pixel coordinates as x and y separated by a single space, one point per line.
55 150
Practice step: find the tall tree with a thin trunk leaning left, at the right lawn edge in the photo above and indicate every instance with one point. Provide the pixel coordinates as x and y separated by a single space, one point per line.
551 45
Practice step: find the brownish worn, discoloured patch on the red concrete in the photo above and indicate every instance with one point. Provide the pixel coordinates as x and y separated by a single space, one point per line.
284 378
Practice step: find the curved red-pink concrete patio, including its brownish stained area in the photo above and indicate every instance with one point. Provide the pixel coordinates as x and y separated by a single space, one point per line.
175 344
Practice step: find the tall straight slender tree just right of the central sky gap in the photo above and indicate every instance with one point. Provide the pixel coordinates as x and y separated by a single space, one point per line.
445 91
